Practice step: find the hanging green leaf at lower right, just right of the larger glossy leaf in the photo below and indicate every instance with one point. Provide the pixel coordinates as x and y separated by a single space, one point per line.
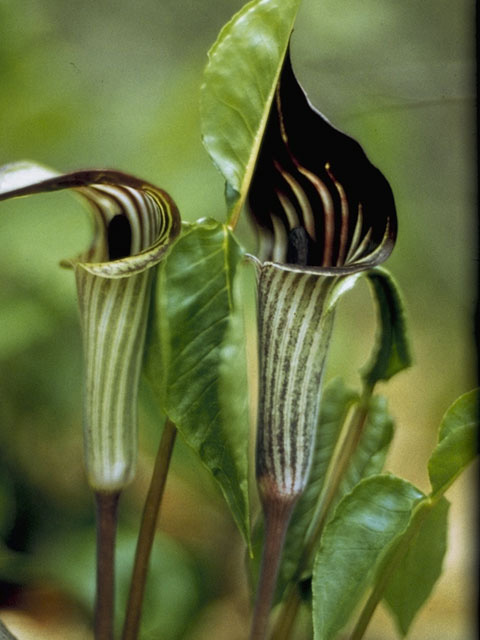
417 571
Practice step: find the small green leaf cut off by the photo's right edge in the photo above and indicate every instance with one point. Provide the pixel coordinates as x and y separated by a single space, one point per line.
458 442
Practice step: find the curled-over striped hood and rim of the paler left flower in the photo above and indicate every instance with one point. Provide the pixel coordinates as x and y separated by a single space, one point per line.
152 215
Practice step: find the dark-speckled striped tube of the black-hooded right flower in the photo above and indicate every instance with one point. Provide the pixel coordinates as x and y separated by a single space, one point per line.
295 322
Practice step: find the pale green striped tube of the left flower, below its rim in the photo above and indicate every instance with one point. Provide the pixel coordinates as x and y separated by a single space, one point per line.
113 313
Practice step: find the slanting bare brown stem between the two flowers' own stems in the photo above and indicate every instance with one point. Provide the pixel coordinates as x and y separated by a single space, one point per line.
147 532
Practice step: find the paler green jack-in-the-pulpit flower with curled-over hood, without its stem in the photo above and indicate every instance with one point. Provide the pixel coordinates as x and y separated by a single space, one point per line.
134 225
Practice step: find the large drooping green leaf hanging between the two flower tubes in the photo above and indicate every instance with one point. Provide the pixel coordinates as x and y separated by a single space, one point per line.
189 340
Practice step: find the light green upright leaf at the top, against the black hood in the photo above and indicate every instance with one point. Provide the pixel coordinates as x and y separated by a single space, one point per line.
239 85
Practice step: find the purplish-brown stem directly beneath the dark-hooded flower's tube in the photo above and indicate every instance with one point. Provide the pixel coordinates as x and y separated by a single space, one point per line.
277 517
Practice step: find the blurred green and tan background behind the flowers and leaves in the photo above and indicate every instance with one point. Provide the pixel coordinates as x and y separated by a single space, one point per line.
116 84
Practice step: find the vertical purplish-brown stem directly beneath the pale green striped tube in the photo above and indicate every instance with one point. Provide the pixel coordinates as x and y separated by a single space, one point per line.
106 503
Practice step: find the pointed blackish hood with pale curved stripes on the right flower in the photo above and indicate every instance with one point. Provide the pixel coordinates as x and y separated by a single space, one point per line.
319 205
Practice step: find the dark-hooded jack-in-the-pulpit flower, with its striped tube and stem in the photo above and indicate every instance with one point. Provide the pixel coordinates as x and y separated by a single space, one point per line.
323 214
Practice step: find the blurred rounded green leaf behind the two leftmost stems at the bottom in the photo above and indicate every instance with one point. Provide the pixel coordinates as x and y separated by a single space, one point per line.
171 597
